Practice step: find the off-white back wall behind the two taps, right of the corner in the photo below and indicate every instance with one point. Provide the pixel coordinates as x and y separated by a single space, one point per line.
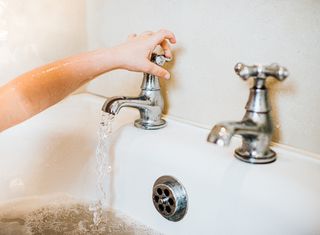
212 37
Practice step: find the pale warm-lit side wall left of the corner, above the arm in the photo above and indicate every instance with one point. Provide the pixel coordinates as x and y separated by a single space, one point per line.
34 32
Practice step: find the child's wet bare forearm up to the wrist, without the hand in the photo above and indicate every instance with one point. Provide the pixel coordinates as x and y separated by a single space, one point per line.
40 88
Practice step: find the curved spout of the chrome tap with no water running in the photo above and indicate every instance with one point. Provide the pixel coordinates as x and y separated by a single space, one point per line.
222 133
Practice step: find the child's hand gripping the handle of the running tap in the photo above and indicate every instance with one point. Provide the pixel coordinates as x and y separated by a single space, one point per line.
135 53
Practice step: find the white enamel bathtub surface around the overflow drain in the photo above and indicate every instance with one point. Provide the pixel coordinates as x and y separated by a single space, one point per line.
54 152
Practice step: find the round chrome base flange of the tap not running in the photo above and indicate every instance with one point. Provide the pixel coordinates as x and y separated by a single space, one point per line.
252 157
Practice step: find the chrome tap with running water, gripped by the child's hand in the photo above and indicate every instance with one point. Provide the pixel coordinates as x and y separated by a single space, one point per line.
149 103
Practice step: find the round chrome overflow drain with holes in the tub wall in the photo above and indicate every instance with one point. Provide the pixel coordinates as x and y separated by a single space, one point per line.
170 198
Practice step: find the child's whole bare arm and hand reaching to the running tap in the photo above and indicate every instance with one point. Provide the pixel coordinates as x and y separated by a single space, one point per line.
40 88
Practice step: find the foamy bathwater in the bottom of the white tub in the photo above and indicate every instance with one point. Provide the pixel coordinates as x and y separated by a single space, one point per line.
62 214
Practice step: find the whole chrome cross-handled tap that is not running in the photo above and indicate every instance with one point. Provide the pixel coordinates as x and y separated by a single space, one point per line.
256 126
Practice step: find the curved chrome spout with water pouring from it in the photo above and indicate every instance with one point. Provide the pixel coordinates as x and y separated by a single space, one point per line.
113 105
